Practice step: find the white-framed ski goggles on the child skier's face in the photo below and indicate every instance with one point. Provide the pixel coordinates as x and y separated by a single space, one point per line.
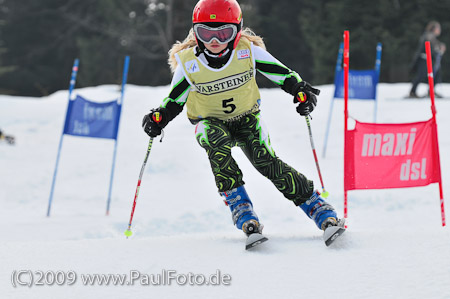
223 34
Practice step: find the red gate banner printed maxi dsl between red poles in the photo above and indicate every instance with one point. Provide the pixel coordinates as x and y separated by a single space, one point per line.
380 156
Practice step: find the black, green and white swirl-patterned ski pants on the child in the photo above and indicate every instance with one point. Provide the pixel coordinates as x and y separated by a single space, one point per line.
217 137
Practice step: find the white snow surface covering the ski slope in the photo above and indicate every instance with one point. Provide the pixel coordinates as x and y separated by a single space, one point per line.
395 246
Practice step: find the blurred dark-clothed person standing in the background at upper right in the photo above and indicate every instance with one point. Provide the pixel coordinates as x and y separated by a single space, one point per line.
419 64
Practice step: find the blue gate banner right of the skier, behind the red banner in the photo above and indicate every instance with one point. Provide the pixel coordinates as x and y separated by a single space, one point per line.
361 84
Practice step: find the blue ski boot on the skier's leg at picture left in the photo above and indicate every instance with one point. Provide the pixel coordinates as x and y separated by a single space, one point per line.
242 210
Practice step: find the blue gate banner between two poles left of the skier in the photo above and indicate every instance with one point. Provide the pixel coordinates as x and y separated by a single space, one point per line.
89 119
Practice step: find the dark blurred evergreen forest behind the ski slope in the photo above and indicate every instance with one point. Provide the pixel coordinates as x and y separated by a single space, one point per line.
40 39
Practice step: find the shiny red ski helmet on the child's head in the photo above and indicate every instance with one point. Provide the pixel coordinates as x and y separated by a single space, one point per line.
221 12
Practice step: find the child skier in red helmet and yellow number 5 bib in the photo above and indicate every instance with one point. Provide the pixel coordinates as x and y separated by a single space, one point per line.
214 76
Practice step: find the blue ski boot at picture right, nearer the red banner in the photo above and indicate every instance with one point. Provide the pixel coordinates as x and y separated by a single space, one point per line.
320 211
